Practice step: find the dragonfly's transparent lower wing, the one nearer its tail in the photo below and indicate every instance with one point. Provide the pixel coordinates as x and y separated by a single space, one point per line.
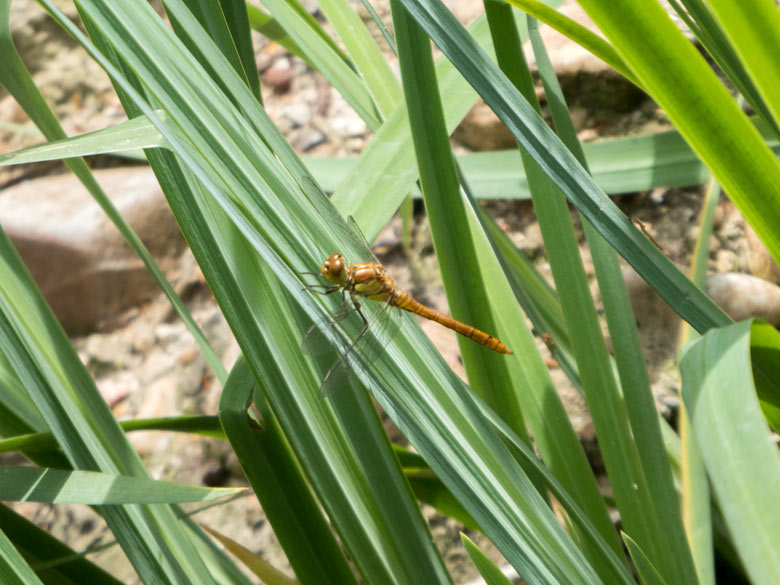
381 328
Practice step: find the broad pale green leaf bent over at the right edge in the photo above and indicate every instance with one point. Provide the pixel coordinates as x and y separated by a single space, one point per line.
741 459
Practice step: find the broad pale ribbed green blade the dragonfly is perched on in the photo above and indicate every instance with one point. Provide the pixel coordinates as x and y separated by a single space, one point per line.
497 495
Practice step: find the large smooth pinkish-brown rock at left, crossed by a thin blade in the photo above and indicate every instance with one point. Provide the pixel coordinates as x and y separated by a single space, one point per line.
82 264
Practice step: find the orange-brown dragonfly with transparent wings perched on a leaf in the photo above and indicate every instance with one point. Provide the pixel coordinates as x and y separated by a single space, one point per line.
370 281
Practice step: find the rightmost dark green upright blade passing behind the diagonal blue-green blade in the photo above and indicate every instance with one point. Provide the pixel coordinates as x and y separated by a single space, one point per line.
653 520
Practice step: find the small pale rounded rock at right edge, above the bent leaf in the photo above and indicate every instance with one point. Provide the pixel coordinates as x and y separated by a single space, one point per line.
743 296
